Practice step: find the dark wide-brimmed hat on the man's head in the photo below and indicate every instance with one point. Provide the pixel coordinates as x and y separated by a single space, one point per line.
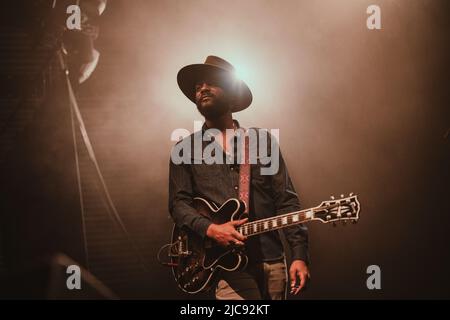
222 70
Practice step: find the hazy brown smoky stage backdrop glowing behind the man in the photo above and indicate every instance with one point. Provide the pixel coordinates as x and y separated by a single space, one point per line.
358 110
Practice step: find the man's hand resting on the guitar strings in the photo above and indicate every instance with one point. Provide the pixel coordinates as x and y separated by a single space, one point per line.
226 234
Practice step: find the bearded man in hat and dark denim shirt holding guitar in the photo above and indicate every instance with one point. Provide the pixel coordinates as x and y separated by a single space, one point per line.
217 94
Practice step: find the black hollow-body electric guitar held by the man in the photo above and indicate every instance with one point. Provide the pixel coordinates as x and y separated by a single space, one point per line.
195 261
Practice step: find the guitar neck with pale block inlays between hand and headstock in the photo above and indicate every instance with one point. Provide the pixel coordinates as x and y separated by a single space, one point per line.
278 222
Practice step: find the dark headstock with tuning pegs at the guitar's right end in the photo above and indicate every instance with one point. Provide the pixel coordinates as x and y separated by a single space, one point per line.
342 209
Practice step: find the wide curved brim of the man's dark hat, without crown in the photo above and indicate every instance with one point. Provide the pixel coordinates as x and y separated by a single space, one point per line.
189 76
